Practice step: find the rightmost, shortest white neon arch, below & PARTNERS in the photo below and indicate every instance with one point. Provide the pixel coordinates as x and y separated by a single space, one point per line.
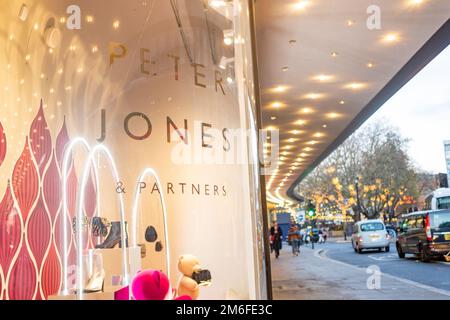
137 197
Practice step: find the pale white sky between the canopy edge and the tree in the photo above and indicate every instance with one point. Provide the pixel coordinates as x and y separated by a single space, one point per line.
421 111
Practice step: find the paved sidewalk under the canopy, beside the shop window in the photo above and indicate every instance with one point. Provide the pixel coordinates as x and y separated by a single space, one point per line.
313 276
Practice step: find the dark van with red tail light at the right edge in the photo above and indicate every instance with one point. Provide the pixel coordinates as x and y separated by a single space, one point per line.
425 234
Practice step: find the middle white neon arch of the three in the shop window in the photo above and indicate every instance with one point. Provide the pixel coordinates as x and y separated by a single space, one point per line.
81 196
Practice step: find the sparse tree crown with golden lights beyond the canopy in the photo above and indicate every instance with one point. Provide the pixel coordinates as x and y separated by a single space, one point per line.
370 173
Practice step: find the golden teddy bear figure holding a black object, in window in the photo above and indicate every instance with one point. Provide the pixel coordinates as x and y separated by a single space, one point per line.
193 276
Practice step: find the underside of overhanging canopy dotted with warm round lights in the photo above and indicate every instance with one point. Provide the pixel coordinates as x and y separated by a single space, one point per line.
320 65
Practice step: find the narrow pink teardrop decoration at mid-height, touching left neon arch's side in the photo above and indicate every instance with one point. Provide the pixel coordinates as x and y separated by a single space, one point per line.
52 188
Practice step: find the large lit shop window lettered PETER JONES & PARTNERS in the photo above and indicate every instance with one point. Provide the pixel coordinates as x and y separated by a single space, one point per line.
128 124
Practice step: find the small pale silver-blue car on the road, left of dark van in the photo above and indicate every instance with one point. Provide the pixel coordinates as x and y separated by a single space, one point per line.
370 234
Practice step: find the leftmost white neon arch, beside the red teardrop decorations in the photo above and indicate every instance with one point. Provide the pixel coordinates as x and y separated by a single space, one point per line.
68 152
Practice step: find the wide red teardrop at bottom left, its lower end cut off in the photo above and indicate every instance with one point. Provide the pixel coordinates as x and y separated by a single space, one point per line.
22 283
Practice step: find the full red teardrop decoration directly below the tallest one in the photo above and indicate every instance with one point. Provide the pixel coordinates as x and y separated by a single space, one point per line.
39 232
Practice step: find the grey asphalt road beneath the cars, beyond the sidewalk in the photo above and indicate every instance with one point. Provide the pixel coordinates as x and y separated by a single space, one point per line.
435 273
